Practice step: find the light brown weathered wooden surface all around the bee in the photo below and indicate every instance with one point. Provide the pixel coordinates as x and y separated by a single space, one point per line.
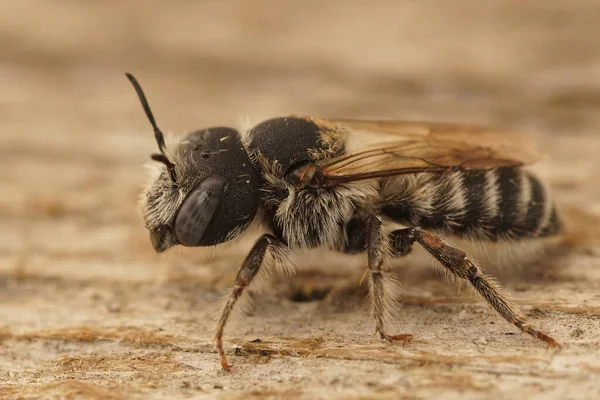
89 311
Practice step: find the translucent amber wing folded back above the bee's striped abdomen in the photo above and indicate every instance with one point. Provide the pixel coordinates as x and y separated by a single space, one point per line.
376 149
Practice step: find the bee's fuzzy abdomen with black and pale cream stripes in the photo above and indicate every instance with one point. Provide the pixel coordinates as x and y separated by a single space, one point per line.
503 203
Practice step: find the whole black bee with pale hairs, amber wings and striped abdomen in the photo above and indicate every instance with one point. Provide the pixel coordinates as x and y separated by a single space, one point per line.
332 183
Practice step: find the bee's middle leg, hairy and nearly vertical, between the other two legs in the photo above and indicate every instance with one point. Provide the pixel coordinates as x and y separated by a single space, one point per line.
383 288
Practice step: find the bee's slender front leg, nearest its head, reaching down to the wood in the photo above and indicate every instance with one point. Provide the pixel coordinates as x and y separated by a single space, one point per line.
247 272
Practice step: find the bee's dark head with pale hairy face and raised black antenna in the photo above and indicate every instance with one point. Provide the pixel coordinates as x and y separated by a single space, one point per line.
205 193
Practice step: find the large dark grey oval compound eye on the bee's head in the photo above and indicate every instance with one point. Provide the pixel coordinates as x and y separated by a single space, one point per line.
198 209
